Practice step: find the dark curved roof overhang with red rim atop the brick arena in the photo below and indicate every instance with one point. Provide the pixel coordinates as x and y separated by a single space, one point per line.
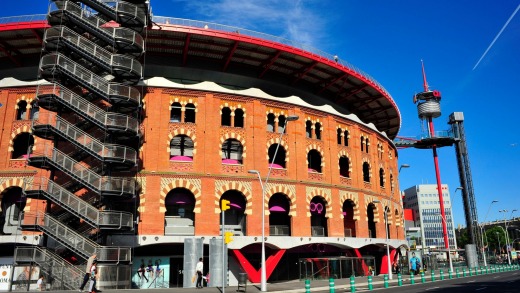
237 52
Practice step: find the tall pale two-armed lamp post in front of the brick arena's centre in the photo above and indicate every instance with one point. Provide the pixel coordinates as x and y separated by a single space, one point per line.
263 277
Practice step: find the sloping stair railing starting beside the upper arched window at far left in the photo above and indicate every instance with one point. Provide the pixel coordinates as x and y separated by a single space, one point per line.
114 185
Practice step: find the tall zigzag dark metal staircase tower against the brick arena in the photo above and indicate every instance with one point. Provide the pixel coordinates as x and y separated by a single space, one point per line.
90 133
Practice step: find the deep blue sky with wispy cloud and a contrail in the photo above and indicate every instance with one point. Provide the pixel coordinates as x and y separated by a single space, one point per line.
387 39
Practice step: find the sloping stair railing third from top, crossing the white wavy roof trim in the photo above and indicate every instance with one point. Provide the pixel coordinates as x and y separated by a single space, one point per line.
87 78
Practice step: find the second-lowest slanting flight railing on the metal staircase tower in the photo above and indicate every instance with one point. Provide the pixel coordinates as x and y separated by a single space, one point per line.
73 240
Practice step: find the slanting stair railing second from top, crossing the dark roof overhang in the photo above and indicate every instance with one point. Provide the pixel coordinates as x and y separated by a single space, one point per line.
96 53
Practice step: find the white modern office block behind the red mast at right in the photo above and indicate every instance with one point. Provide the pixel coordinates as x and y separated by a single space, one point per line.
423 201
